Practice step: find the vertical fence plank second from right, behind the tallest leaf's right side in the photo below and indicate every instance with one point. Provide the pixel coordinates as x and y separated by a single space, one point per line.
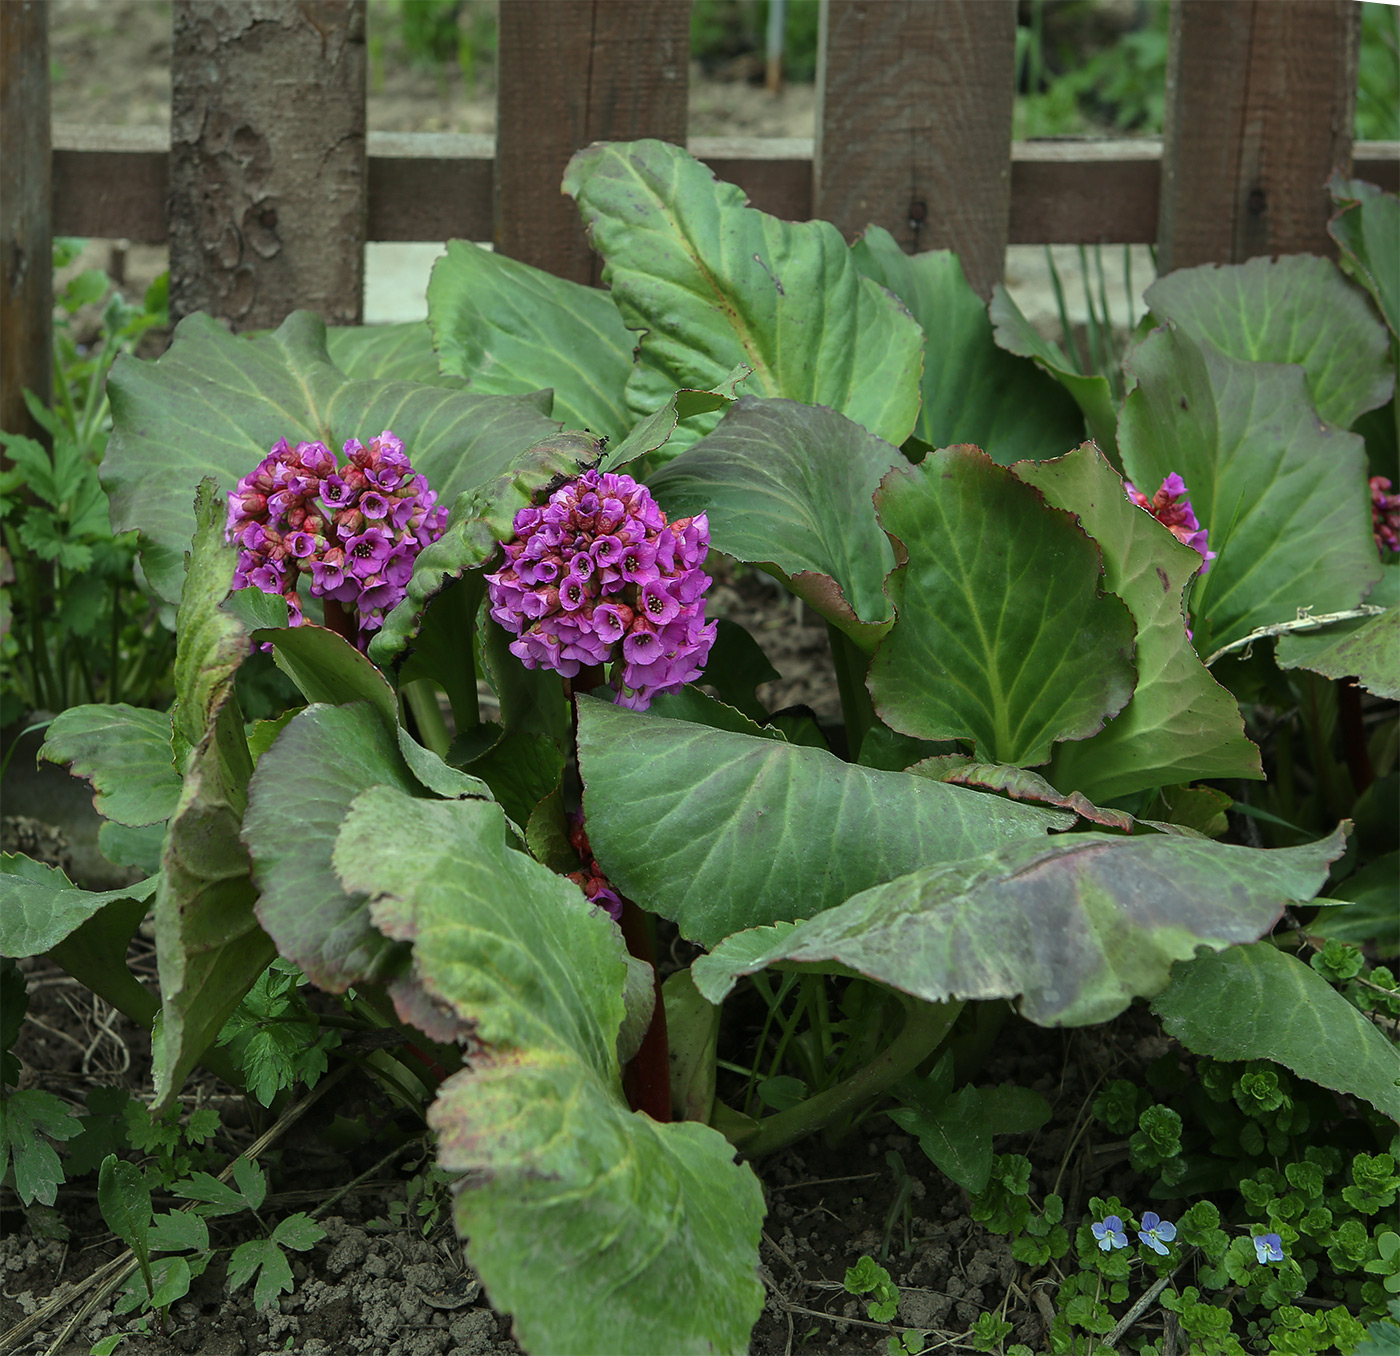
915 125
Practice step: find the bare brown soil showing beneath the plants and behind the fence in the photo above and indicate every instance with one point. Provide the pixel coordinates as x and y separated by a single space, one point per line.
408 1292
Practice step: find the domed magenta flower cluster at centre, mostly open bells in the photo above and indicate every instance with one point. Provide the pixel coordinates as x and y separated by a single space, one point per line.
598 577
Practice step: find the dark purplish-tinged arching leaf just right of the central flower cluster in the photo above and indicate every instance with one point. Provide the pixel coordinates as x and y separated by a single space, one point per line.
792 488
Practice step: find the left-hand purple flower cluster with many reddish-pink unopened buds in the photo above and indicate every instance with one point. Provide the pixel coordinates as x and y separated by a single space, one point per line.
355 530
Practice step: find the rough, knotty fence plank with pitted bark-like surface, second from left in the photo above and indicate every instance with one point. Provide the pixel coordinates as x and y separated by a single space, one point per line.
268 160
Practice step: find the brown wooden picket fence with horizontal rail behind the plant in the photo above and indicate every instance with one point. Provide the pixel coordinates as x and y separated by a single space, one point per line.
269 185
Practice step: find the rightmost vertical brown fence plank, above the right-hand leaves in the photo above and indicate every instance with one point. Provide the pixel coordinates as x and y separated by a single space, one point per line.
1261 99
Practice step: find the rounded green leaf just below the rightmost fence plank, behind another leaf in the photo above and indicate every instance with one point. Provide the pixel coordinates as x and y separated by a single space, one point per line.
1296 309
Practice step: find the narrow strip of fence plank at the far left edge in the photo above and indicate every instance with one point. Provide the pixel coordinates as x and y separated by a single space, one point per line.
26 241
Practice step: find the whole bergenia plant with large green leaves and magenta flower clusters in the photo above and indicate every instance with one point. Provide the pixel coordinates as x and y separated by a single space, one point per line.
526 748
